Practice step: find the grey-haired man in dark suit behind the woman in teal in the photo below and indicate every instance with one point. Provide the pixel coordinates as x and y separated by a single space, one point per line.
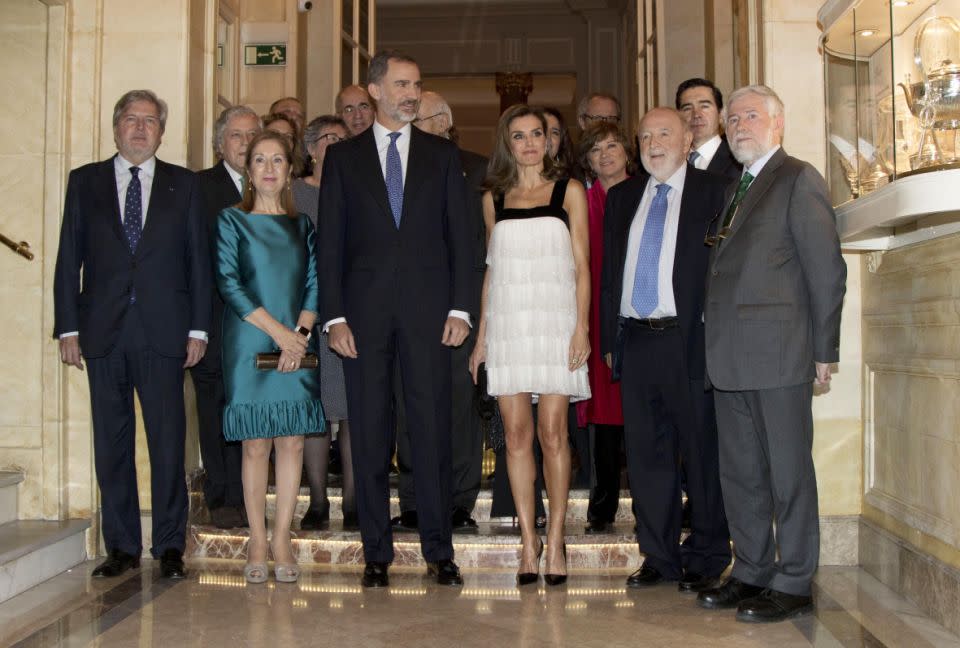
222 186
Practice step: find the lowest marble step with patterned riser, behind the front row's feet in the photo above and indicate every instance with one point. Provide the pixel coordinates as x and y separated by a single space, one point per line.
495 546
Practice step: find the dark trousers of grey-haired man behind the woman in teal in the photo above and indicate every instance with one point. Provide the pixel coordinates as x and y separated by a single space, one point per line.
221 459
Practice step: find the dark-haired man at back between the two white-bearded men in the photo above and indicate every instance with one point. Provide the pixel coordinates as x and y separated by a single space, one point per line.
700 103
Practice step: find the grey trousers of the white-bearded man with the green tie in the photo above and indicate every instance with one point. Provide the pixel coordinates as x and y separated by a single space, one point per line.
769 485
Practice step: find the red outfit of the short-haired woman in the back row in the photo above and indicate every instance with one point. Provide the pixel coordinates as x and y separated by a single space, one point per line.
604 407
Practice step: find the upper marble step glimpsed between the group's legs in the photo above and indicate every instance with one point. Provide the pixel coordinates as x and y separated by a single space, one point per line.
576 506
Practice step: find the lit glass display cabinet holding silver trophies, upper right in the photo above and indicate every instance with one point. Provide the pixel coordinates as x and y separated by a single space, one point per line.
892 75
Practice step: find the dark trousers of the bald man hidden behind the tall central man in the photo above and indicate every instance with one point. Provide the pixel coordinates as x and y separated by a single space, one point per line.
465 437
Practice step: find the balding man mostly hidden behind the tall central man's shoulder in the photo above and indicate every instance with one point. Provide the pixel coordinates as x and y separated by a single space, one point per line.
435 117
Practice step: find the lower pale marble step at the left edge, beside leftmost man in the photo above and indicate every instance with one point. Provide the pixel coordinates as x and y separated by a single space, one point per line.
31 551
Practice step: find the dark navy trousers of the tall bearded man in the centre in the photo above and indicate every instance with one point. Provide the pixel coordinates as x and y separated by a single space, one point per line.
424 366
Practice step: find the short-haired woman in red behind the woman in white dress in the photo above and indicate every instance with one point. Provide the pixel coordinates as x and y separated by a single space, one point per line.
606 158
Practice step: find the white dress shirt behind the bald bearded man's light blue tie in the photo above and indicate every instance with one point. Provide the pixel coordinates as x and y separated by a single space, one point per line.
666 303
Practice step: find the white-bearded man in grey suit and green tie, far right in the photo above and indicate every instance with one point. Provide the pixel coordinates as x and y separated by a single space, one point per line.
775 289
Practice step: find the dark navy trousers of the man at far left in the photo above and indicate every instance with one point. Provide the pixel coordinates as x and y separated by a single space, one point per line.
158 381
